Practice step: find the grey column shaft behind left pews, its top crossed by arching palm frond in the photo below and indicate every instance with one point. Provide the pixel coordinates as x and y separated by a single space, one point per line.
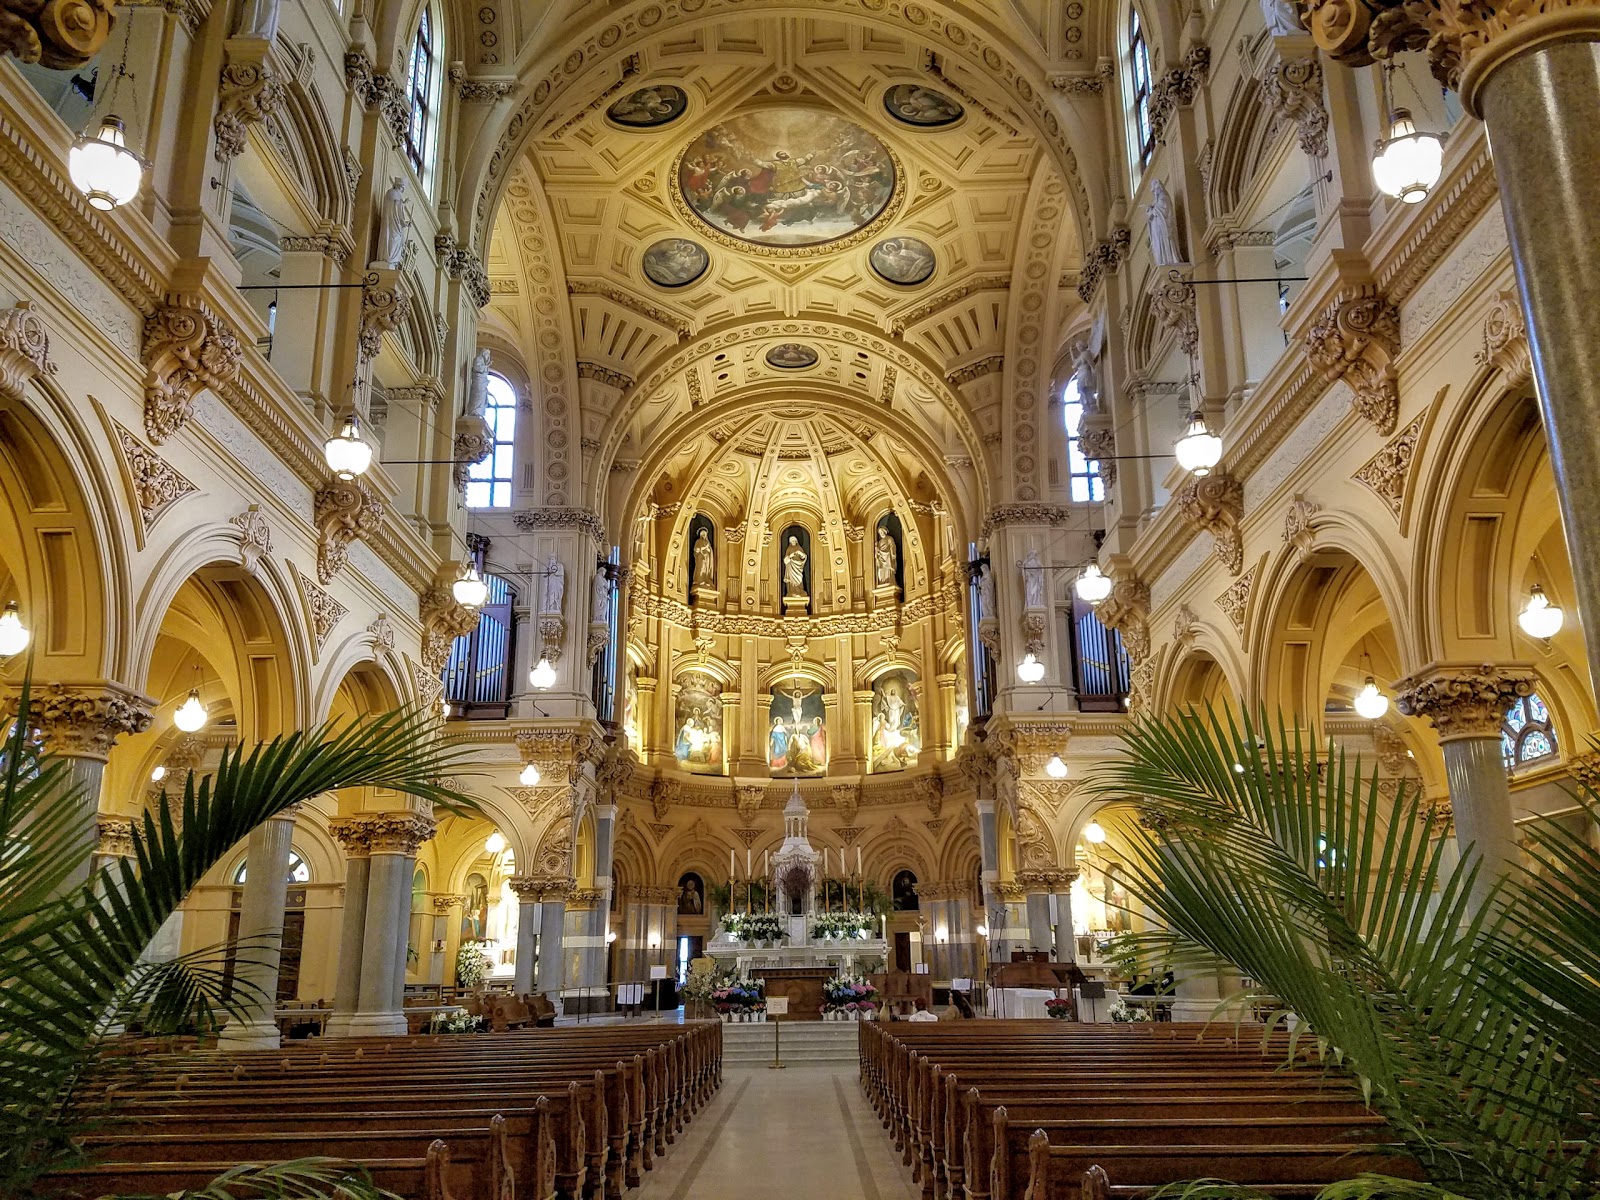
262 935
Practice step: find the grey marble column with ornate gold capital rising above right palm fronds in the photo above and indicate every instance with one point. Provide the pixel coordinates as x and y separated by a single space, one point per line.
1468 705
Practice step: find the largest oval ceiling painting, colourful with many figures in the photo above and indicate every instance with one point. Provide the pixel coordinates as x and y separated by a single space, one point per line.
786 178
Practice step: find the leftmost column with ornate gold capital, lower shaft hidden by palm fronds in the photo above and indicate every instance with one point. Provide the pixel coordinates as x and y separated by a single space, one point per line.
81 724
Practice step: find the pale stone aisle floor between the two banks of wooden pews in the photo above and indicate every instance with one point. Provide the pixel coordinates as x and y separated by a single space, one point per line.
783 1135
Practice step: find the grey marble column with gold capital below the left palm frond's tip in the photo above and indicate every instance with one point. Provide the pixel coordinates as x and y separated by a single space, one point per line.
394 839
